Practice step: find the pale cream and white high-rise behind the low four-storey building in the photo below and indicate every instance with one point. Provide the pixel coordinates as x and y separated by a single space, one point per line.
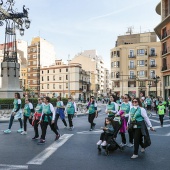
91 61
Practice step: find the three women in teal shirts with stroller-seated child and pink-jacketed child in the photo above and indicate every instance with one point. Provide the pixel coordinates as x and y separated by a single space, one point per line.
133 117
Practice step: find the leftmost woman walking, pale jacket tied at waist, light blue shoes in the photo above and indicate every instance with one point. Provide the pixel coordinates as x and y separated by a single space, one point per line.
16 113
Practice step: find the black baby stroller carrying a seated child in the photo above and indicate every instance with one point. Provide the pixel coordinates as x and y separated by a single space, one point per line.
112 145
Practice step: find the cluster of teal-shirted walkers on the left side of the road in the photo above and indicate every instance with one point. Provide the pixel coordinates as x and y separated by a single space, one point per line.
44 115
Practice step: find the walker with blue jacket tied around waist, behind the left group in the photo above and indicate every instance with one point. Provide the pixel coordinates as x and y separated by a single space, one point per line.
60 112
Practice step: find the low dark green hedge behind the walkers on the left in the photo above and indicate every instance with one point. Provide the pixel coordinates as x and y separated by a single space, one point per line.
8 103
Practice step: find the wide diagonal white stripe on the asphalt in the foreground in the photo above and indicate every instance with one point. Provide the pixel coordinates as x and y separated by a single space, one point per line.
40 158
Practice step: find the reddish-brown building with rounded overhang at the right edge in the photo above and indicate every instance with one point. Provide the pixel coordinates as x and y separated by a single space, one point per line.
163 32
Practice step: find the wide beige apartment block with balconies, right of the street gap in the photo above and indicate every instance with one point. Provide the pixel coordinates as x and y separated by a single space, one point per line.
135 62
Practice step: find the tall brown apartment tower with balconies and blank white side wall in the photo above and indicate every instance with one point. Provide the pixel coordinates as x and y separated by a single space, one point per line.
40 53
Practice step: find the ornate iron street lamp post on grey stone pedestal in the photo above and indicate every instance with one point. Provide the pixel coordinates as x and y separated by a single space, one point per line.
10 66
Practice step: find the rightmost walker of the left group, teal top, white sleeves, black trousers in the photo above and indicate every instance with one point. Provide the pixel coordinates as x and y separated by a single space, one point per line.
70 109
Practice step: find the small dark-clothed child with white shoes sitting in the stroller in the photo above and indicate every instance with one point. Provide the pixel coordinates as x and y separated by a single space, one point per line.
108 131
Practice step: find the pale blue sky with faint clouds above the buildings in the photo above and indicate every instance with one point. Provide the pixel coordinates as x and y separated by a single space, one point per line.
73 26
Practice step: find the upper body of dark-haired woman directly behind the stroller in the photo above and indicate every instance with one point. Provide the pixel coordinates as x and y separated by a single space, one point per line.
112 107
